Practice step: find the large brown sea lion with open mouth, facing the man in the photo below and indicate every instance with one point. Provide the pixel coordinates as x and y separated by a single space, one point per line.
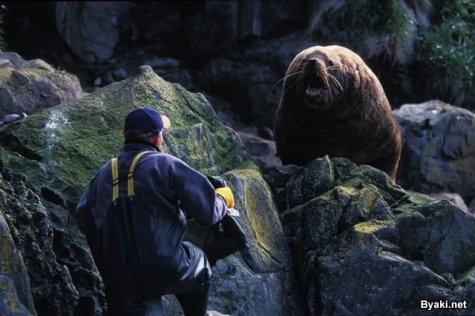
333 104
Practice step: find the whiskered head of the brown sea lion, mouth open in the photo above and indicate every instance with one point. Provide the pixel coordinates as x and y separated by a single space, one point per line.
320 76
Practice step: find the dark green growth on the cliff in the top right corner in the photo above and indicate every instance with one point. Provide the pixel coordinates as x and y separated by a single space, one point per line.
447 51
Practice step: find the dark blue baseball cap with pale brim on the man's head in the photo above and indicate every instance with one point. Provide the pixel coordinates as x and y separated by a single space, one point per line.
146 120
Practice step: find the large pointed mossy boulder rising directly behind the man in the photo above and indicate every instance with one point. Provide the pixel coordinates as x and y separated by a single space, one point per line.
51 156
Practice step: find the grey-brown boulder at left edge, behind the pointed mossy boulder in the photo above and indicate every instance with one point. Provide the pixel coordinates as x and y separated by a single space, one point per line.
31 85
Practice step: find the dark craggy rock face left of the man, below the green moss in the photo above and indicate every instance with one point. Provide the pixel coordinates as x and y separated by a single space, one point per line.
53 250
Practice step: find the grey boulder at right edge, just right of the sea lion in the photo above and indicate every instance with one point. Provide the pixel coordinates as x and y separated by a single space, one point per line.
438 153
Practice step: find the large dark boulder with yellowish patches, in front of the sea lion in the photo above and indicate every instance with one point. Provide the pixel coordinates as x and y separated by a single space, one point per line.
364 246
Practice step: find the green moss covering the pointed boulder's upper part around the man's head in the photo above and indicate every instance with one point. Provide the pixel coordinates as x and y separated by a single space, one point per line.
62 147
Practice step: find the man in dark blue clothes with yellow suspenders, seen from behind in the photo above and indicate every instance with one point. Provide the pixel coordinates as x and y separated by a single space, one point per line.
134 217
